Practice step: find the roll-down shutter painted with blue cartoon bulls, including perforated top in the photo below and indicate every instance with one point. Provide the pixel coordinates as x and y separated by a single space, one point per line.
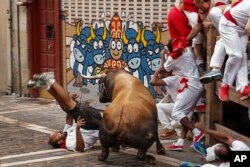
137 18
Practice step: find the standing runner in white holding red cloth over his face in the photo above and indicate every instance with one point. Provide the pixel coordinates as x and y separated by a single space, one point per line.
182 65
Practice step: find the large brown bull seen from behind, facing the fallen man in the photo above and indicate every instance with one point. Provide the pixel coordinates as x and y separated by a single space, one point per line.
131 117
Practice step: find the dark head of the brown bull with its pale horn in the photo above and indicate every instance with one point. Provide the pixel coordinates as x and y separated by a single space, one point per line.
106 84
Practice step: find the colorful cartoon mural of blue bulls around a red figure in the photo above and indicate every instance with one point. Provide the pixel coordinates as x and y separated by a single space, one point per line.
114 44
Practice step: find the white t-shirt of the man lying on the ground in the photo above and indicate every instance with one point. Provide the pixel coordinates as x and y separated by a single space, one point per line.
90 137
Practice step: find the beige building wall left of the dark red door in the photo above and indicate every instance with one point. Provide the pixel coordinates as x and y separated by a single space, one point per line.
14 48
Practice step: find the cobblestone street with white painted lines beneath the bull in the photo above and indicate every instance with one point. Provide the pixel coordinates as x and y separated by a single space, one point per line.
25 124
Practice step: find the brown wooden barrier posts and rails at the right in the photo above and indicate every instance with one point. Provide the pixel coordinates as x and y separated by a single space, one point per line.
214 107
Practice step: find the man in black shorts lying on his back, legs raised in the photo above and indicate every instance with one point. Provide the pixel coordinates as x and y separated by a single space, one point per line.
78 137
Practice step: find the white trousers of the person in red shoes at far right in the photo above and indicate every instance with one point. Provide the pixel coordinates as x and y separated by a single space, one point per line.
235 41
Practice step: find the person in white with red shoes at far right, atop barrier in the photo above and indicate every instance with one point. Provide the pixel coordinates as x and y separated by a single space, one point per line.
234 29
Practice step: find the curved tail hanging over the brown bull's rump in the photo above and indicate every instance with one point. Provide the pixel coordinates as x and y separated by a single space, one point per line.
105 129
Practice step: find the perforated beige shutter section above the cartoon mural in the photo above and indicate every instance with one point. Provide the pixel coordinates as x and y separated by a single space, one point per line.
146 11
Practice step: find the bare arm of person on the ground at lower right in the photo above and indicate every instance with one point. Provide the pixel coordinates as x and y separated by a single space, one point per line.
227 139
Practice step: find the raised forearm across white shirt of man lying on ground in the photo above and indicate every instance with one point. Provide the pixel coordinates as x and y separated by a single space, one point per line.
79 139
